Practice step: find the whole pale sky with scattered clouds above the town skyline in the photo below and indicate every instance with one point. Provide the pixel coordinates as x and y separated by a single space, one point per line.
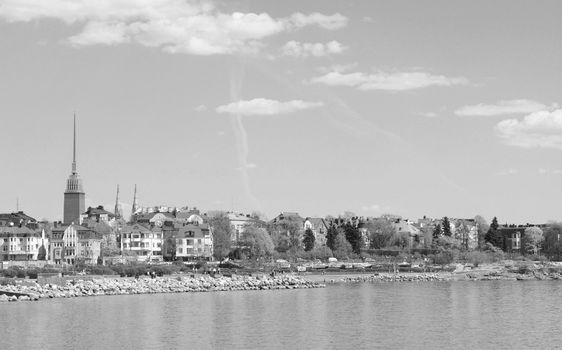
415 108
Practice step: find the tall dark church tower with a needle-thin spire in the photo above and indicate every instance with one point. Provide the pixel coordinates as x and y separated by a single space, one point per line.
74 196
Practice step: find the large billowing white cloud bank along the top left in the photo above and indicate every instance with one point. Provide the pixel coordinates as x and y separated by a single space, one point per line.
175 26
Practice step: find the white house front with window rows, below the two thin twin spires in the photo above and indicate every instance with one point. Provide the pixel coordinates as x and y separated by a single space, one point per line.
138 240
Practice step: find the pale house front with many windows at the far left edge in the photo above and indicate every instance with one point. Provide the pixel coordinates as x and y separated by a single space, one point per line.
21 243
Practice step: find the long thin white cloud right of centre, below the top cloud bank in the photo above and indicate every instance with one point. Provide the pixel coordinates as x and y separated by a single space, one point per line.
390 81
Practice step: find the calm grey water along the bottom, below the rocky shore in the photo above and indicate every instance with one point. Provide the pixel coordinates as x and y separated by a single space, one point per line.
440 315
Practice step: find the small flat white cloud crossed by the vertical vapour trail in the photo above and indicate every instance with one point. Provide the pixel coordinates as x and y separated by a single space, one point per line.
262 106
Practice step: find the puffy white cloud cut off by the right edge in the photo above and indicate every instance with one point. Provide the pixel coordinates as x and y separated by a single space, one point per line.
541 129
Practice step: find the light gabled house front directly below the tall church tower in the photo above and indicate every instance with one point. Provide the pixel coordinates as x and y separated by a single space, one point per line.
74 243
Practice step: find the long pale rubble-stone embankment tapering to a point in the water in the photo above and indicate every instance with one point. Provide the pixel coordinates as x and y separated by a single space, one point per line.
128 286
